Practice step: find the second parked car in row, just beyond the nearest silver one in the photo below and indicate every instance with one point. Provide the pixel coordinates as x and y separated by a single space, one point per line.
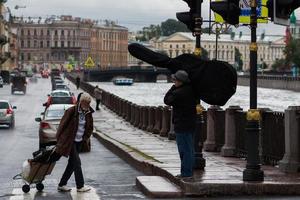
60 97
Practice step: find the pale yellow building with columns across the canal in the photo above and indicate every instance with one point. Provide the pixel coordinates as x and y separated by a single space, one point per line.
270 48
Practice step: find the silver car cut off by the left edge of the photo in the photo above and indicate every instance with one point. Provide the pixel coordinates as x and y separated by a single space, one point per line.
7 113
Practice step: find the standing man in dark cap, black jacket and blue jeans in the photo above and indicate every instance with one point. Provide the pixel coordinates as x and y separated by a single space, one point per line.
182 98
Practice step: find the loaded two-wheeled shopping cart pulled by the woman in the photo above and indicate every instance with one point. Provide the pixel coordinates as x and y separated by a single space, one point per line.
35 170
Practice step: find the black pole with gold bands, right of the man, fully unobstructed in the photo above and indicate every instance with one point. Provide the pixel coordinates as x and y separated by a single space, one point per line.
253 170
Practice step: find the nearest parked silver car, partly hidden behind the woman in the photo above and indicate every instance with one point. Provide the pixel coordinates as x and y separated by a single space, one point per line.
49 123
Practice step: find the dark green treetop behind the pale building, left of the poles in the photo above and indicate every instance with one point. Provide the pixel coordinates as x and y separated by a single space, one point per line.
171 26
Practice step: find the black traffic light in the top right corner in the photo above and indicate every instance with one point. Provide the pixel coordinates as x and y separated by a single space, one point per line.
280 10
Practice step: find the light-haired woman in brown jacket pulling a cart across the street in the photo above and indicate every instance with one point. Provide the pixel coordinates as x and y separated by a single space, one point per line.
75 127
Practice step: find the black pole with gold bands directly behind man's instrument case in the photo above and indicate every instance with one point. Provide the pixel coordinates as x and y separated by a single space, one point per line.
199 160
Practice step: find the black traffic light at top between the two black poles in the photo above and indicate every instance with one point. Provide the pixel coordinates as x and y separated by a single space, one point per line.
229 10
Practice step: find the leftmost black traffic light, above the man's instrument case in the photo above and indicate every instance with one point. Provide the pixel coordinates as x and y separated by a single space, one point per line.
188 17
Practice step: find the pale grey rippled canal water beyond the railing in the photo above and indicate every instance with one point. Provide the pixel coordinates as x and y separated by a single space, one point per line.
152 94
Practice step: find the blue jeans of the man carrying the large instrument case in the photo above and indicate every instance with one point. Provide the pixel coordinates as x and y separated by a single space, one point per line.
186 152
